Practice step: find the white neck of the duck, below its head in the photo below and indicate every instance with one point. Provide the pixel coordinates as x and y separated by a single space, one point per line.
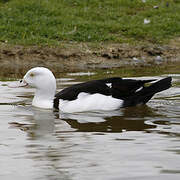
44 98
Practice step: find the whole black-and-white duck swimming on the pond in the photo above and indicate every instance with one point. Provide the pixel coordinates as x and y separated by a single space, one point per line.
105 94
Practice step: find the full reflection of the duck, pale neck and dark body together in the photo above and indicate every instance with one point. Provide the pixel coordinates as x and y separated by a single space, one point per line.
45 122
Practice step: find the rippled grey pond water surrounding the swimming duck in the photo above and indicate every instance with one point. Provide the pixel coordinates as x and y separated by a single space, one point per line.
133 143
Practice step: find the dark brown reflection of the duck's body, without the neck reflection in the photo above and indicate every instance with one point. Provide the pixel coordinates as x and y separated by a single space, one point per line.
130 119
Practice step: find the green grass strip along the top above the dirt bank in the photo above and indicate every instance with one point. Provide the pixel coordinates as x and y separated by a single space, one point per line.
51 22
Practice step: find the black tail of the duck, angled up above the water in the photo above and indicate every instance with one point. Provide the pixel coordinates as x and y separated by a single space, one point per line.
146 93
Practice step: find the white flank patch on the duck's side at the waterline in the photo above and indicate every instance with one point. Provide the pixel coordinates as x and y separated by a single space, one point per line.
90 102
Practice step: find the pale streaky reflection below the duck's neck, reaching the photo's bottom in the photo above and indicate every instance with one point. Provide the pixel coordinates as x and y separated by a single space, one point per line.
43 146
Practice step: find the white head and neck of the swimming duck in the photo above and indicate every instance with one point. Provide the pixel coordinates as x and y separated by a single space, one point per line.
45 83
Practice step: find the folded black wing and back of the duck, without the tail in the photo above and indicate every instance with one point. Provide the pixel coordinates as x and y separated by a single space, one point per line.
116 87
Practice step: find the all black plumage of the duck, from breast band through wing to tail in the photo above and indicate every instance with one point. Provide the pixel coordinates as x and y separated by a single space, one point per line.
124 89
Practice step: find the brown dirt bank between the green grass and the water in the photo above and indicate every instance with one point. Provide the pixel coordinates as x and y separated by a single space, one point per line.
82 56
